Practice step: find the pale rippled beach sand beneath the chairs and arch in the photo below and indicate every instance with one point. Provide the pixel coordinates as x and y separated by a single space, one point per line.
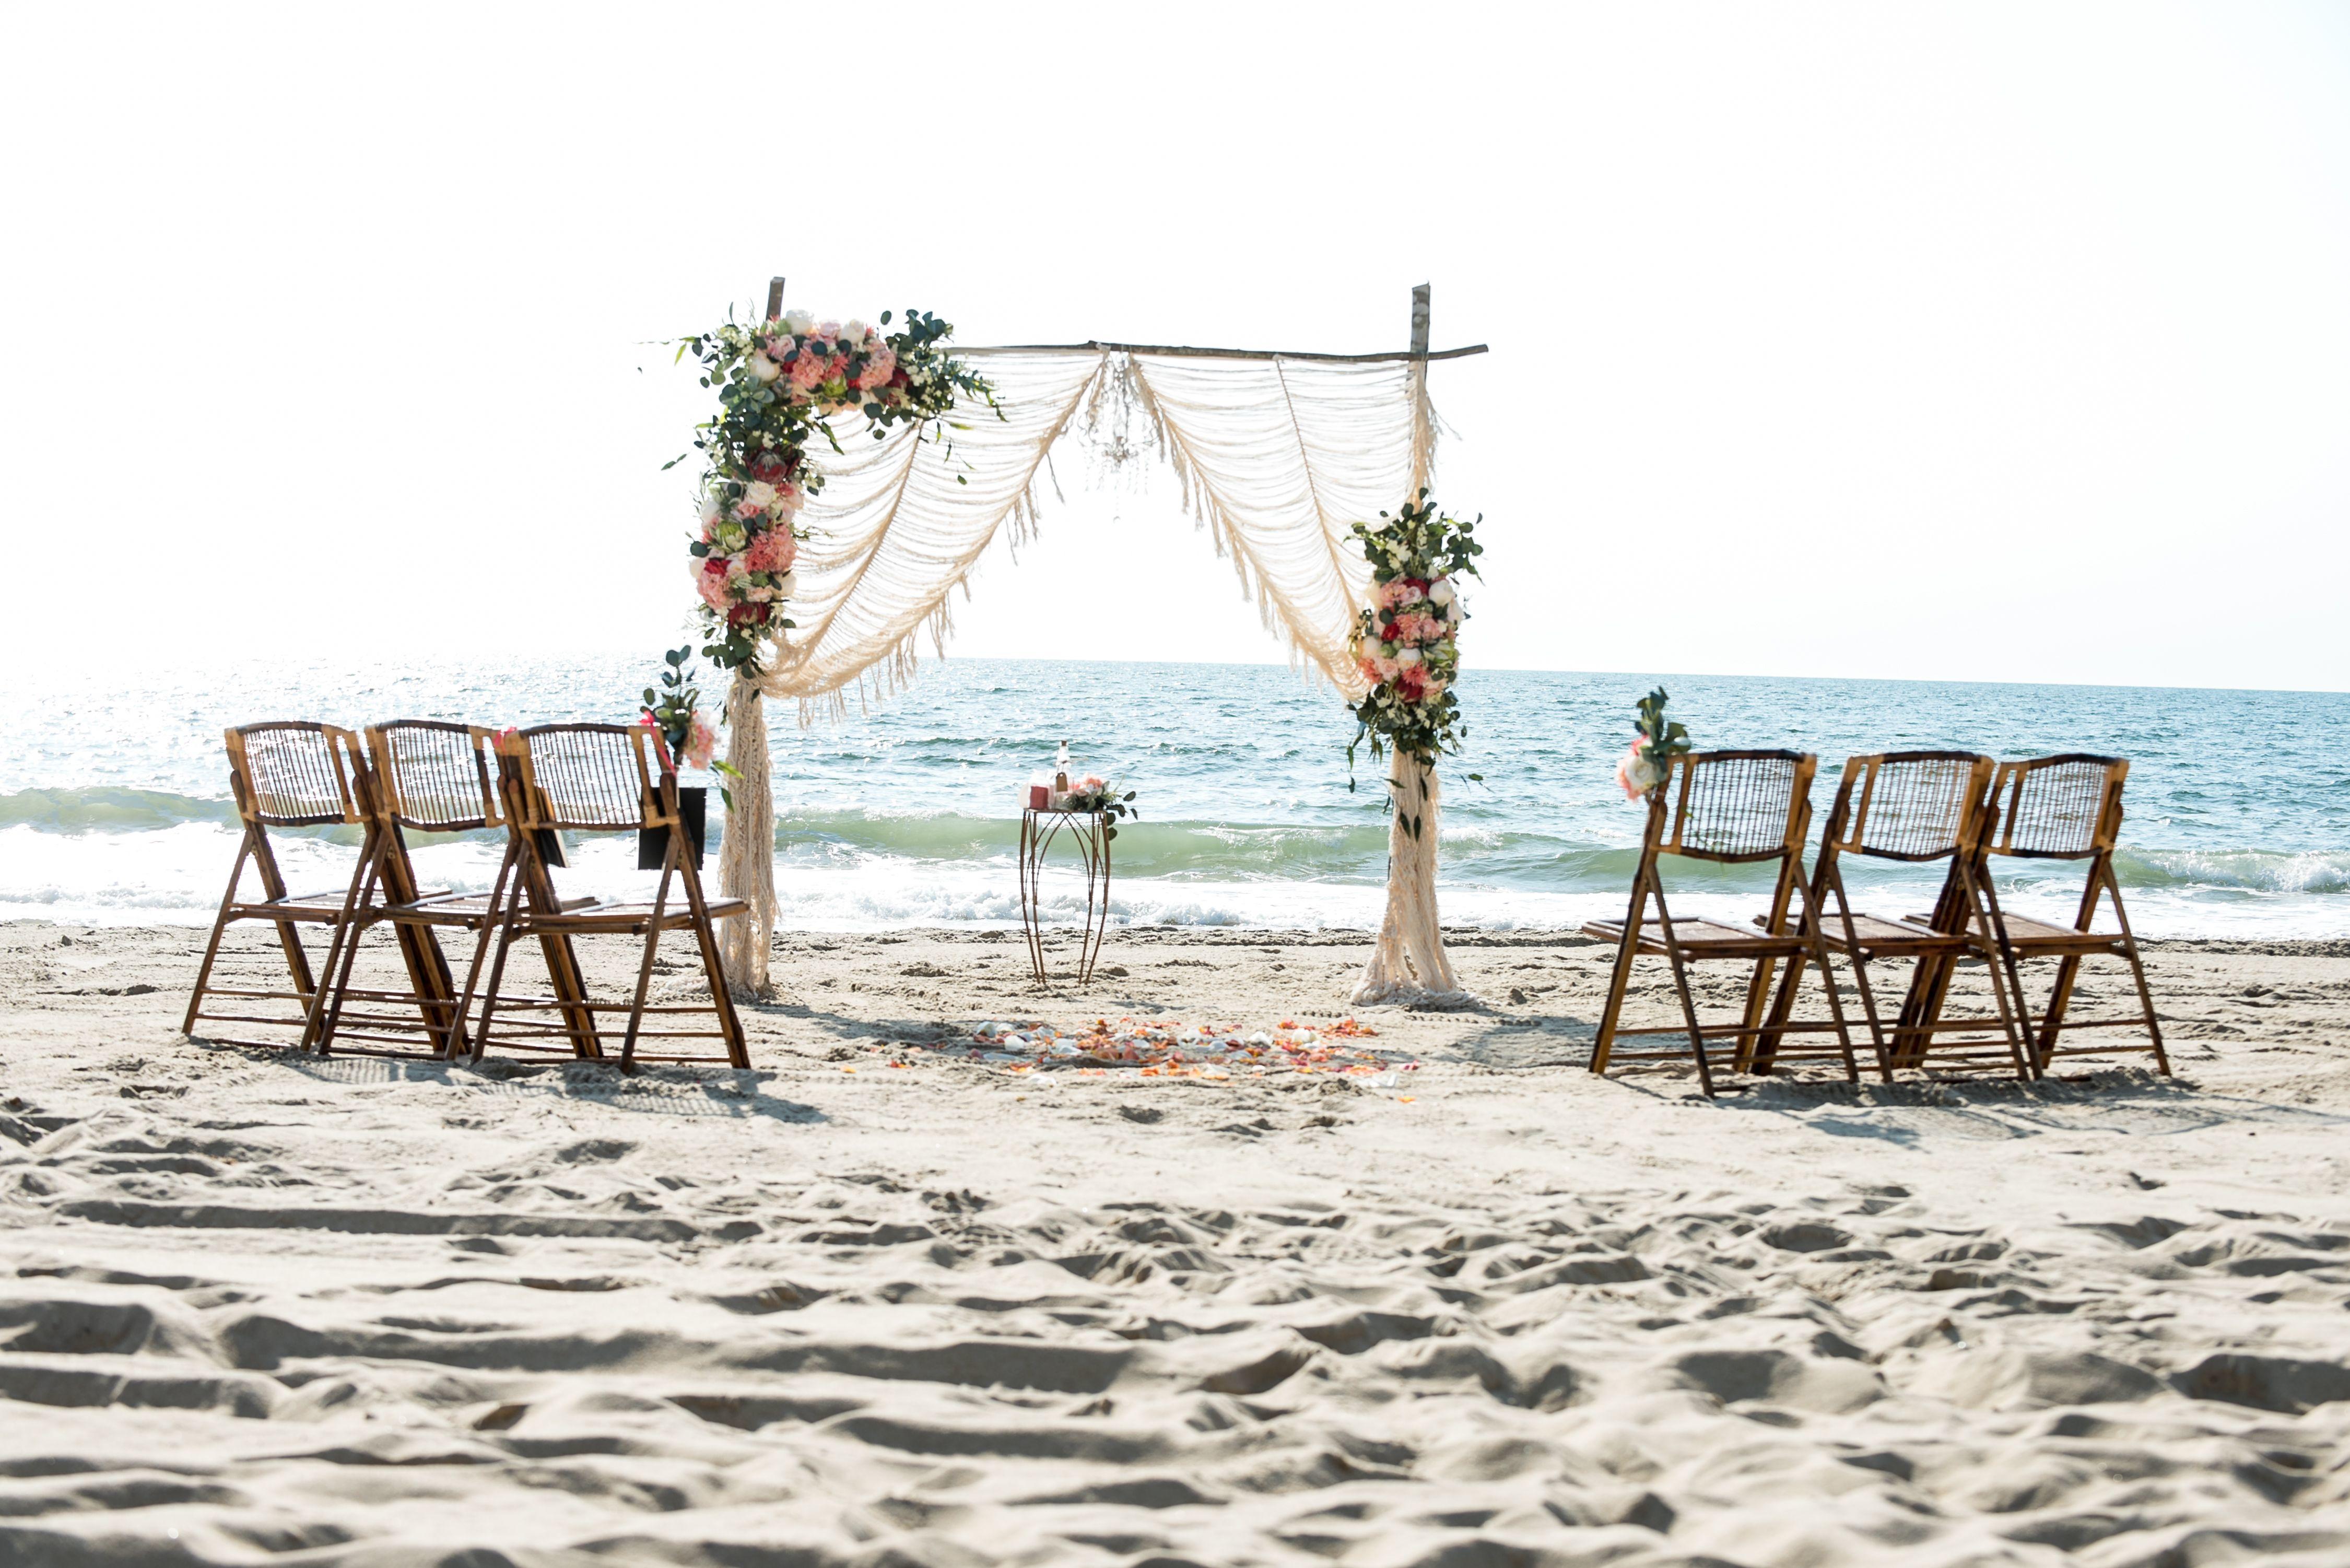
835 1311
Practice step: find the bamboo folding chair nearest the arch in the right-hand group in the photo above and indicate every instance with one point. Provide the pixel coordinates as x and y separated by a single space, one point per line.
1733 810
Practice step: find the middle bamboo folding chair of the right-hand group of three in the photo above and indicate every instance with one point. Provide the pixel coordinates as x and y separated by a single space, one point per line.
1914 808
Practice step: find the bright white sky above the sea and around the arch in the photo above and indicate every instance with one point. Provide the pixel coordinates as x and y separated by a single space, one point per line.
1832 340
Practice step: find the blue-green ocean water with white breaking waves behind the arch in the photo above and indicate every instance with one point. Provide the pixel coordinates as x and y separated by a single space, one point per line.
114 803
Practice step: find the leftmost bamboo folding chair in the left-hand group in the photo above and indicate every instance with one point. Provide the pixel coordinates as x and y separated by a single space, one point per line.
283 775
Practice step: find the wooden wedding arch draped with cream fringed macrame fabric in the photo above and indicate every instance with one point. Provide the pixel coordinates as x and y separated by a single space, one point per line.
1280 455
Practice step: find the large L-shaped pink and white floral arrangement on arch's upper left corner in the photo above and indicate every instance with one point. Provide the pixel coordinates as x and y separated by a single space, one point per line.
777 387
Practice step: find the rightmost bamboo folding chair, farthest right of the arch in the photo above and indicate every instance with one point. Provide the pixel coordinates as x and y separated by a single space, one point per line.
2064 810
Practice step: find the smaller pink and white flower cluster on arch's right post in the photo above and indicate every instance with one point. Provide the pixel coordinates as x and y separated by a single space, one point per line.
1409 641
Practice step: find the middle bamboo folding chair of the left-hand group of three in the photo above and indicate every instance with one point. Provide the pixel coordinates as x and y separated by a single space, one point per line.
422 777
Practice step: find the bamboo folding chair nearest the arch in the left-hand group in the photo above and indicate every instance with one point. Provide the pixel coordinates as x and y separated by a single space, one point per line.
600 779
